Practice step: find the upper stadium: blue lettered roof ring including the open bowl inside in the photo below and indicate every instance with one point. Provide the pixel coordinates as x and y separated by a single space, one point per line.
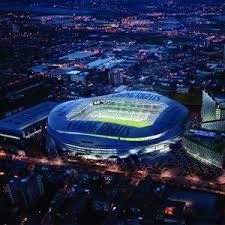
127 115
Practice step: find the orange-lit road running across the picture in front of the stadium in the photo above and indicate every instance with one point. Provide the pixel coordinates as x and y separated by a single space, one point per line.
166 175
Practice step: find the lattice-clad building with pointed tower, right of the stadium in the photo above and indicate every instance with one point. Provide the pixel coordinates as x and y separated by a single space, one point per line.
207 144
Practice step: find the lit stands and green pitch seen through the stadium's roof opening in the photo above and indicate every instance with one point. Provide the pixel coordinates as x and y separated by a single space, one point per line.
128 112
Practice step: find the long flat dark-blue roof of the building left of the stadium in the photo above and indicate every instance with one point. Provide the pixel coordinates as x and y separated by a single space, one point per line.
19 121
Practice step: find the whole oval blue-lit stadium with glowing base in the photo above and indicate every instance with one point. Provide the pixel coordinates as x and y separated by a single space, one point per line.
116 125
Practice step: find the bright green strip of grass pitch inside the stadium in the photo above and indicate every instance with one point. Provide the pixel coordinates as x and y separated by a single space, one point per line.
138 124
